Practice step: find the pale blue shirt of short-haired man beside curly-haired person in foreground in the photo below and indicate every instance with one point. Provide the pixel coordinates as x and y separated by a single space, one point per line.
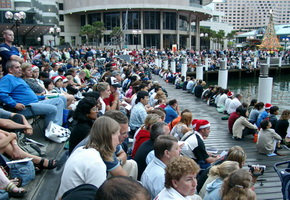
153 178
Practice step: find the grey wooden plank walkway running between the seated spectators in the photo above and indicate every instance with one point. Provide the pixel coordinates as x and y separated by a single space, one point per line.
220 139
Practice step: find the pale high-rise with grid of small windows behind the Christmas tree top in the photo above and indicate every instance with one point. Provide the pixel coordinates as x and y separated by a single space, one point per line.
248 15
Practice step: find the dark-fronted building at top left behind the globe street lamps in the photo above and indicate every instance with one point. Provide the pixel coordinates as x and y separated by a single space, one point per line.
40 16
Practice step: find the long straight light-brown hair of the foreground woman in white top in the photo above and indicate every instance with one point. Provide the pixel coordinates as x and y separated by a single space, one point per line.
101 136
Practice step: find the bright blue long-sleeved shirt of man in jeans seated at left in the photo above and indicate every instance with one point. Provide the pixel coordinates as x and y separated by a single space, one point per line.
15 90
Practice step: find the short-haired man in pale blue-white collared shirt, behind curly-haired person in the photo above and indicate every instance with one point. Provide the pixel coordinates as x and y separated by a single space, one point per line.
165 149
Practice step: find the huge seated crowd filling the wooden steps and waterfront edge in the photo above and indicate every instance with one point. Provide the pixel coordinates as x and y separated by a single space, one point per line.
124 129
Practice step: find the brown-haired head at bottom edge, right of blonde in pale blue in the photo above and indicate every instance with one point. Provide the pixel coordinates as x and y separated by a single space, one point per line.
237 186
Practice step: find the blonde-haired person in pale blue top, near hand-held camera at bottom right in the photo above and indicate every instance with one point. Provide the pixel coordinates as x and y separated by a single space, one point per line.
217 174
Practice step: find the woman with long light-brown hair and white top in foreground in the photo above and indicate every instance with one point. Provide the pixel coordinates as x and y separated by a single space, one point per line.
86 164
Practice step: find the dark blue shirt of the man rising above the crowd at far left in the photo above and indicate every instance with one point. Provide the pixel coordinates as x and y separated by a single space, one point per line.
6 52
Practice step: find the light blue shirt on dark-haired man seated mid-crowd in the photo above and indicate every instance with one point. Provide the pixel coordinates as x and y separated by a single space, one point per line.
138 115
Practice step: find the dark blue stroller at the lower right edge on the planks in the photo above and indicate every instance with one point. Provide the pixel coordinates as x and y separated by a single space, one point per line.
284 175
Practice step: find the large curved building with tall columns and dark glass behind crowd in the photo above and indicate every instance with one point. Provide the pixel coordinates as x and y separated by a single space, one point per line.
145 23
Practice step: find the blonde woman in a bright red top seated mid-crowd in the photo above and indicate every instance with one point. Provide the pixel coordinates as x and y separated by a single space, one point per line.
143 134
